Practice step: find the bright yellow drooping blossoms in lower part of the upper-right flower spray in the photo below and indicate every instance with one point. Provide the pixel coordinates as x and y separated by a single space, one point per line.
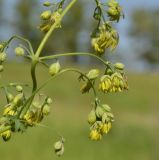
106 38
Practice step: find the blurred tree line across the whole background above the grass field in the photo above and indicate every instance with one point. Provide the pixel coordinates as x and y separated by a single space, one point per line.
144 29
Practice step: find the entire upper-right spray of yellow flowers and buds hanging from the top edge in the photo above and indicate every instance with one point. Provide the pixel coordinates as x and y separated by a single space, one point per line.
105 36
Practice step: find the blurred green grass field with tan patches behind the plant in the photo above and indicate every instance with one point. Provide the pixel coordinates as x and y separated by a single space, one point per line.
134 135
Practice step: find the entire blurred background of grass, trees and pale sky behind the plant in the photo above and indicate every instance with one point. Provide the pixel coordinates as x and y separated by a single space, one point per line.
134 135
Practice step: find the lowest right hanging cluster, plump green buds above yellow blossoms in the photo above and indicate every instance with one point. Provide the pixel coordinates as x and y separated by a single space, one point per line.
100 119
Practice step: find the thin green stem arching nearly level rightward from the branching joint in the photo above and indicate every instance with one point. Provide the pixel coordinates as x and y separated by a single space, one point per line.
75 54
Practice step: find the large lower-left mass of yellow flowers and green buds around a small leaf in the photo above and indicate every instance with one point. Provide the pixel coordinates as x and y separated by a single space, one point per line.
15 118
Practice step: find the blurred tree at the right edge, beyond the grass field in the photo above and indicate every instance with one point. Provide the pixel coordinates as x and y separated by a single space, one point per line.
145 30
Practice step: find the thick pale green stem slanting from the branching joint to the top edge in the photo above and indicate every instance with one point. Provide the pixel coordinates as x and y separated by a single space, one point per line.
48 34
